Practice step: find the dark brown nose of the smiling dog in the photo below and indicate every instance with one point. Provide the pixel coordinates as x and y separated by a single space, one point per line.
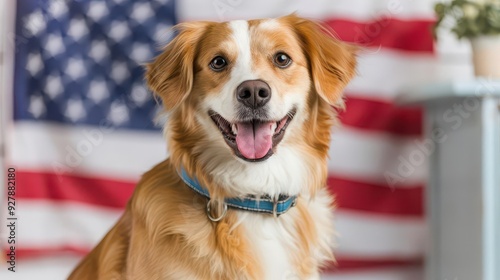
253 93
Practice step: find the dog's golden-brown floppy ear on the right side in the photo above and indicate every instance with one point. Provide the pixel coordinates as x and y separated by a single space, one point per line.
332 62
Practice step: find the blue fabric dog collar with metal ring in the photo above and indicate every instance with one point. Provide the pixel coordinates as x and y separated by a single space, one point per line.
264 204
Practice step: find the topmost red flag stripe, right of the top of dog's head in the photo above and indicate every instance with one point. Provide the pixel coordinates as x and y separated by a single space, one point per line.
407 35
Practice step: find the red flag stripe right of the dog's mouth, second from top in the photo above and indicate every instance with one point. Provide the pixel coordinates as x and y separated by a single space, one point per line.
382 116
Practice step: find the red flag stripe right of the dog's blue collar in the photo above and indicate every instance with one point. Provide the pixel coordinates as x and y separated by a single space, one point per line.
374 198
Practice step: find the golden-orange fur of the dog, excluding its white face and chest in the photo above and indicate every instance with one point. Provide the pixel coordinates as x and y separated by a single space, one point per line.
164 232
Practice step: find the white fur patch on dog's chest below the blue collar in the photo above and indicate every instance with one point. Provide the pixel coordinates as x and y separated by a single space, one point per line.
272 243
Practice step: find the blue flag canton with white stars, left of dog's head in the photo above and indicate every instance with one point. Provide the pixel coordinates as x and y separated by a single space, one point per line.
82 62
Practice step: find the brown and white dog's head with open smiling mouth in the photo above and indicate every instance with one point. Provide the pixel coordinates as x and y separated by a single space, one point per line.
244 93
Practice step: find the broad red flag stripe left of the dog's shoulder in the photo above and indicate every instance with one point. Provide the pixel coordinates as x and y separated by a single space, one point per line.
98 191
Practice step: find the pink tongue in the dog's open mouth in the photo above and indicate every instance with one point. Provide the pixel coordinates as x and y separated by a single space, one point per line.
254 139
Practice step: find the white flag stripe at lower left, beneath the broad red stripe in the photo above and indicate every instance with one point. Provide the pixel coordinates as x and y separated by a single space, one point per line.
55 224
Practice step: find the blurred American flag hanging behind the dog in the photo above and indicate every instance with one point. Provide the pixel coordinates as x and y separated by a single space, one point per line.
82 129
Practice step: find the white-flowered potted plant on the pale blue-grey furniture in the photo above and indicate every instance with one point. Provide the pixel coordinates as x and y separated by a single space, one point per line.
479 21
